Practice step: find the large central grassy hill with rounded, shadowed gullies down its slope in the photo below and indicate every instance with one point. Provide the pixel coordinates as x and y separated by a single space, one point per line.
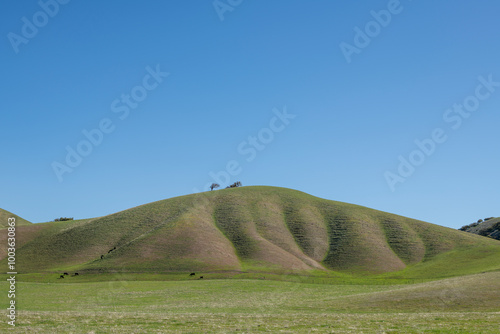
255 229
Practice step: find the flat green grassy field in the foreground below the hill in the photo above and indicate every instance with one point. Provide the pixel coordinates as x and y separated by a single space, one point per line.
469 304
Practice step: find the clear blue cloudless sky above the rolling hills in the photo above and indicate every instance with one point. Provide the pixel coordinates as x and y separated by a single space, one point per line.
356 112
